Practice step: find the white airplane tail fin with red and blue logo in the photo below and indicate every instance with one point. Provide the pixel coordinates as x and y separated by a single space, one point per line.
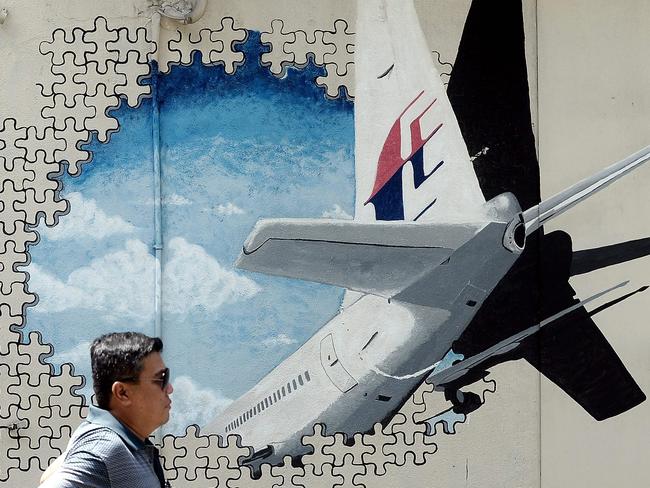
410 157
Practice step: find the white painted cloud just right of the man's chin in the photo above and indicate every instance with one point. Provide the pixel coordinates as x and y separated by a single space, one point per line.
192 404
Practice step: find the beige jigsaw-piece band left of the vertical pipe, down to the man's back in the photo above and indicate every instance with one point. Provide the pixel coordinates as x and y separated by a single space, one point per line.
92 68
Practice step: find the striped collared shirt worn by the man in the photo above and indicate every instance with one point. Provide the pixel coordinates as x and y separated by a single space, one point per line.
103 453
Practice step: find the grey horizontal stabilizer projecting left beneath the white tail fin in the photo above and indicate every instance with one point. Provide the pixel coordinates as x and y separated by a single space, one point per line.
380 258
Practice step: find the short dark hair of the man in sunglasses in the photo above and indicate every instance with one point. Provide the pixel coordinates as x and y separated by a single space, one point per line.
118 356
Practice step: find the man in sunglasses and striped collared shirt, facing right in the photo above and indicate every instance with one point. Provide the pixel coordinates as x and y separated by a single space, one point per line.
110 449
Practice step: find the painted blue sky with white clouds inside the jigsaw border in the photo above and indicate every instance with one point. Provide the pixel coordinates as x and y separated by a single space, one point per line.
234 149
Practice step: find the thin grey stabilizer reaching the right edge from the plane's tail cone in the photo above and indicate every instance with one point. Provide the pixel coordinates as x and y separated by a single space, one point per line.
538 215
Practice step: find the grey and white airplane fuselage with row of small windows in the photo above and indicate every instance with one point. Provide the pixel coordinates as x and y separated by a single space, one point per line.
363 365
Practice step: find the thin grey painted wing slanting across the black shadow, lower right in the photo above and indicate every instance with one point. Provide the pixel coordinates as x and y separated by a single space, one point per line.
461 368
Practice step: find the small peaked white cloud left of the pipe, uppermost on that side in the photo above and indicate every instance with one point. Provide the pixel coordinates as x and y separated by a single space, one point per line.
86 220
